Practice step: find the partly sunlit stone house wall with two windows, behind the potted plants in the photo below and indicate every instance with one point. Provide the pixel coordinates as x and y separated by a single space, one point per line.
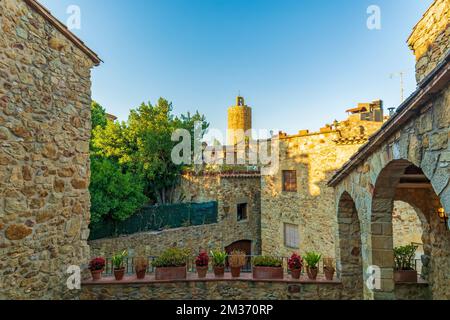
315 157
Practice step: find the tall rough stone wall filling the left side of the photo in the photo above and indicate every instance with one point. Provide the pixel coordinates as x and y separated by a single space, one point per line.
44 155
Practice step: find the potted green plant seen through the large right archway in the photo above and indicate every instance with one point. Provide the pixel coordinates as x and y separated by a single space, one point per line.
404 260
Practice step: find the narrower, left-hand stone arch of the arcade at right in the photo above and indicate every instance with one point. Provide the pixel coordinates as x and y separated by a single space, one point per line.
350 265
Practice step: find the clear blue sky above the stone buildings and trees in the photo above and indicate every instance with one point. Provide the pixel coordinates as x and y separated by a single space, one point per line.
299 63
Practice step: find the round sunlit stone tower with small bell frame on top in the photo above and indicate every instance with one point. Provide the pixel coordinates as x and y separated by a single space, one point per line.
239 122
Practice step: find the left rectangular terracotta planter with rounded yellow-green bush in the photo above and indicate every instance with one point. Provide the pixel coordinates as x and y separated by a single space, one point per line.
171 264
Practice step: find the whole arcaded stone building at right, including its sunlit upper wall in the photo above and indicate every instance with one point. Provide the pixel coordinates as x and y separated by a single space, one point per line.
407 160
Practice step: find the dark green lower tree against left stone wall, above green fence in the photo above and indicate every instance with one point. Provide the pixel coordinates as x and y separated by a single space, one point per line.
114 194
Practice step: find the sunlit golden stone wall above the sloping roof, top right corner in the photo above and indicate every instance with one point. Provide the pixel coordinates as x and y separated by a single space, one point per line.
429 39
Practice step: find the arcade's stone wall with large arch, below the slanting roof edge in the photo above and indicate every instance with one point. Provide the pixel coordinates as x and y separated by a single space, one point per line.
423 142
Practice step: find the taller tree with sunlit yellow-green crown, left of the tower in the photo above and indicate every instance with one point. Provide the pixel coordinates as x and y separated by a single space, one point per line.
143 145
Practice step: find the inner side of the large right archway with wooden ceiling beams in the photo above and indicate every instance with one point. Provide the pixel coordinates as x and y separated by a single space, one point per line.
402 181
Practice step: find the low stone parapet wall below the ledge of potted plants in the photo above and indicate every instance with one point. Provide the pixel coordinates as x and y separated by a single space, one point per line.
230 289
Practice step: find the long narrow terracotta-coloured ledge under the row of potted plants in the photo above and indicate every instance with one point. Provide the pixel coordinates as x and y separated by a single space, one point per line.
192 277
